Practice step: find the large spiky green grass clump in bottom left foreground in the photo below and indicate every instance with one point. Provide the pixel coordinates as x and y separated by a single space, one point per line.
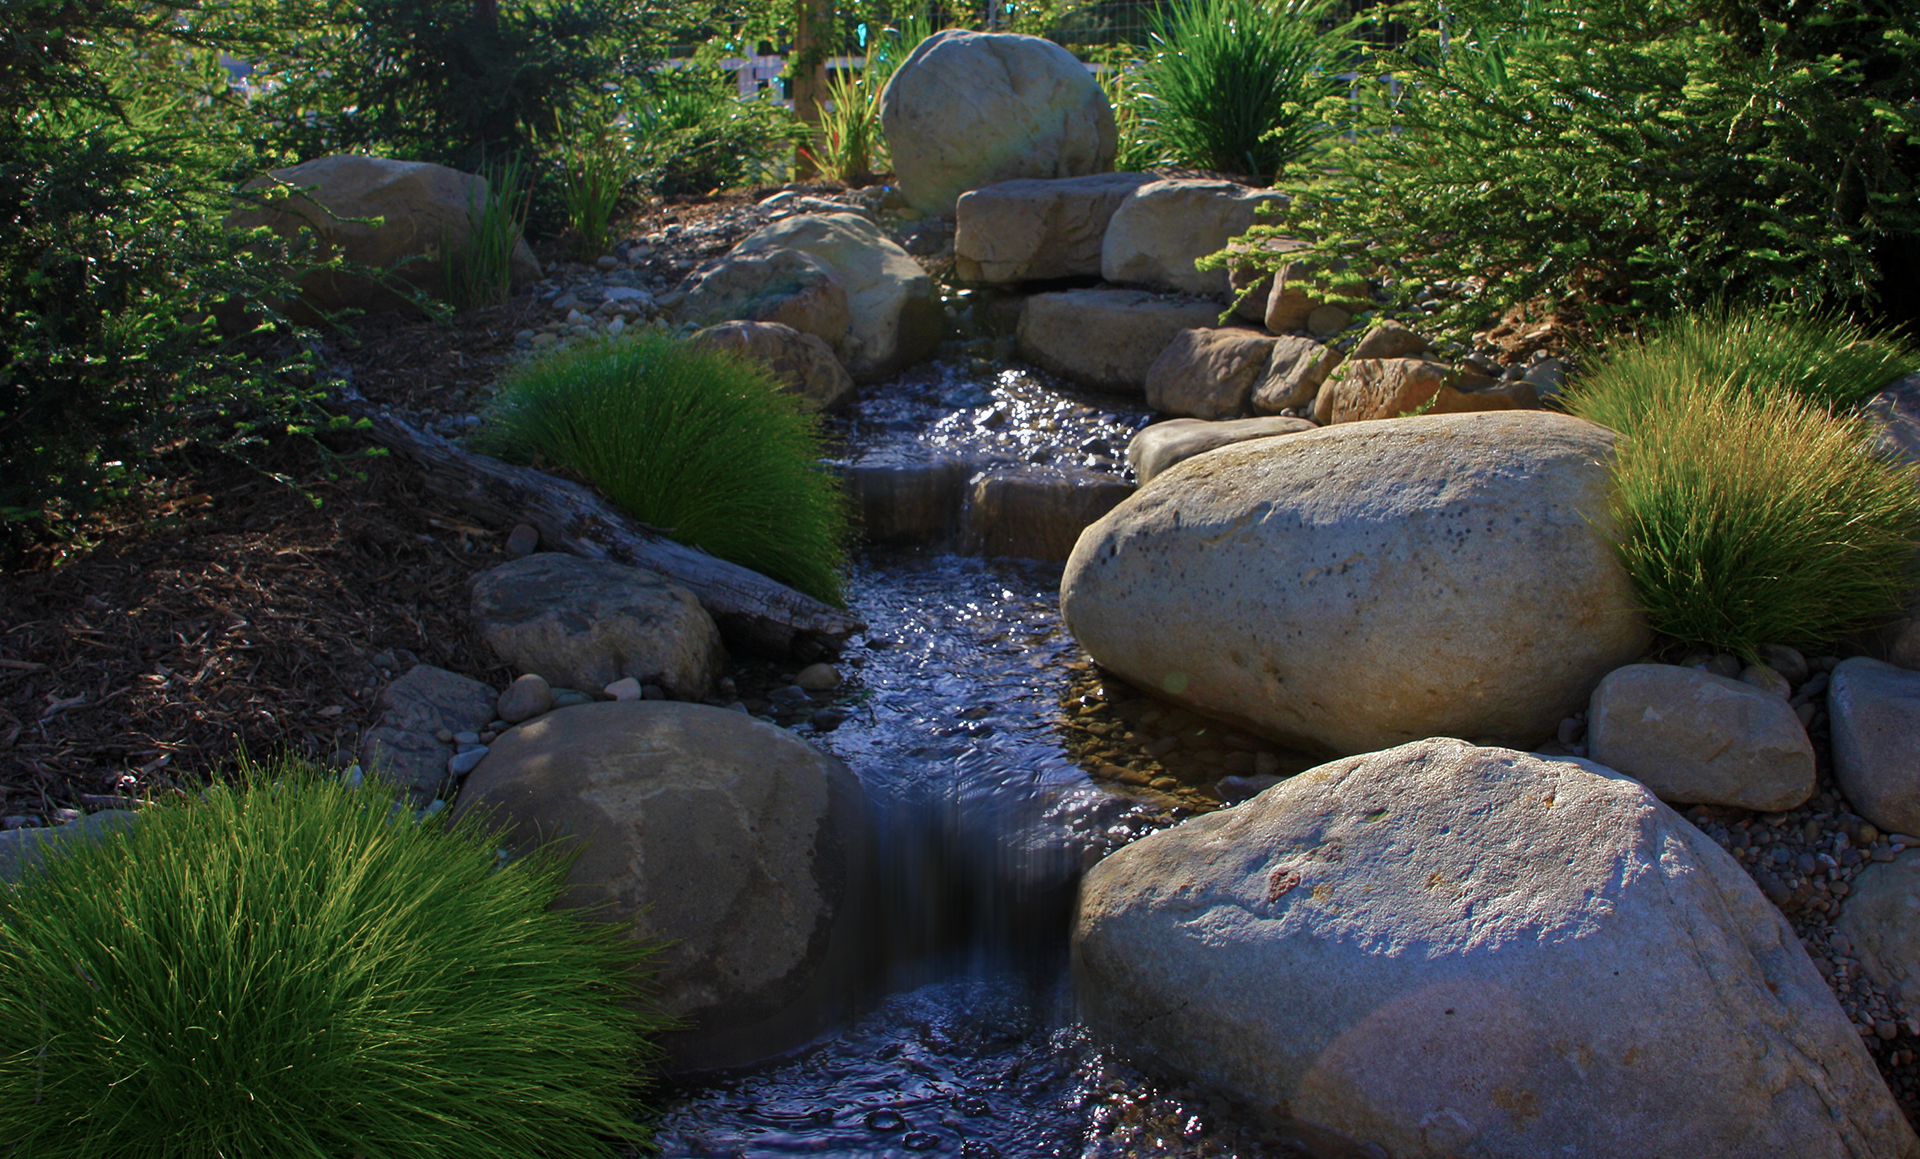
293 968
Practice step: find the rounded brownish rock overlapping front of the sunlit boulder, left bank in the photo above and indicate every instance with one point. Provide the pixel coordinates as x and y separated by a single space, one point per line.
782 287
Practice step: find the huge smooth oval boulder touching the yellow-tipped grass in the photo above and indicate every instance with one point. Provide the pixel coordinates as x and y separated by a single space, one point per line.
1362 586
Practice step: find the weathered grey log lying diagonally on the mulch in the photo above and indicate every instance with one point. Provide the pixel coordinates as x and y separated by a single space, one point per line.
754 613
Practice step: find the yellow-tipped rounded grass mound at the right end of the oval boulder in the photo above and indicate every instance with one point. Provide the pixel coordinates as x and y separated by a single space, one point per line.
1760 517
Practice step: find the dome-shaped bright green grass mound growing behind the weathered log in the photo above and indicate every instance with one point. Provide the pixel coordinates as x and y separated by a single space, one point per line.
694 442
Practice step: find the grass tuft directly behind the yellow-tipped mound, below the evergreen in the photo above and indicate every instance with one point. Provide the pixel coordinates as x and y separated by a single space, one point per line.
1821 358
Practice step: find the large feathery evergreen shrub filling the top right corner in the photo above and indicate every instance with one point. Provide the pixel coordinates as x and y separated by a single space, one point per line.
1623 158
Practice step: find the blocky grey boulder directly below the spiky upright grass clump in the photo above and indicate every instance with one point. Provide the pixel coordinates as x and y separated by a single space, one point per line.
1164 227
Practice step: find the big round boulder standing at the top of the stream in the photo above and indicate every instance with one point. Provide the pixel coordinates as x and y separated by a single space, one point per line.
971 110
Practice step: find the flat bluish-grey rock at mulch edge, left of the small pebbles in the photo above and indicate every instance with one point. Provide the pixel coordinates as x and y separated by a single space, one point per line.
404 747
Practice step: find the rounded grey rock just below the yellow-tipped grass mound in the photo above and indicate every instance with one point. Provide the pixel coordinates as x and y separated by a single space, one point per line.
1700 740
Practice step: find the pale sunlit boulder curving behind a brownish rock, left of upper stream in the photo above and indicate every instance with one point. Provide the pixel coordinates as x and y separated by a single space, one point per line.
896 312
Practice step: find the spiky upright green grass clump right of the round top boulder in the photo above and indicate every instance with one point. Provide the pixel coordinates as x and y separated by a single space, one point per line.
1232 85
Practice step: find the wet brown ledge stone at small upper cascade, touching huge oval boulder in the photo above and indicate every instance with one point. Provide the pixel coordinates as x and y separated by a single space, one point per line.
1038 511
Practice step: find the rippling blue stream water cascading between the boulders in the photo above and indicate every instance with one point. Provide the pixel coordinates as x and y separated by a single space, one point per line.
986 824
